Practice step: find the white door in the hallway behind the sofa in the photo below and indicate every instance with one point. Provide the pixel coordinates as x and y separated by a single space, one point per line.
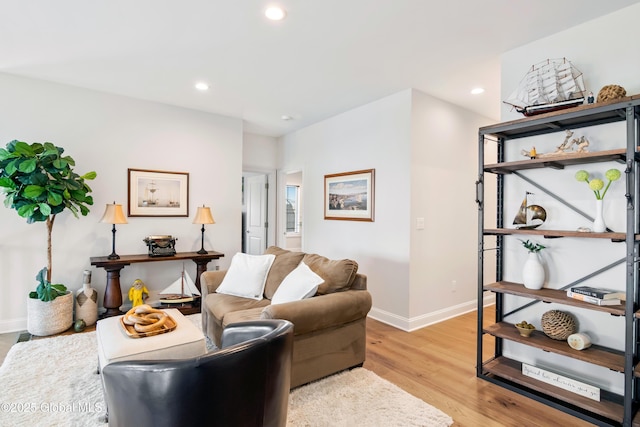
255 188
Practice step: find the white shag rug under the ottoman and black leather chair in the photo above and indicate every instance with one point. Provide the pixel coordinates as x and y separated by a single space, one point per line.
53 382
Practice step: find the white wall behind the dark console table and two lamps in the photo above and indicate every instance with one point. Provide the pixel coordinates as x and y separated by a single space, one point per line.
109 134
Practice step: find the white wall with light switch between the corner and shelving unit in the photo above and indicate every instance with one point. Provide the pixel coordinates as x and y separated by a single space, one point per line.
444 168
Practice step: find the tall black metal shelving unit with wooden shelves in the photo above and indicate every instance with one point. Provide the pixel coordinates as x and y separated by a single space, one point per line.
612 409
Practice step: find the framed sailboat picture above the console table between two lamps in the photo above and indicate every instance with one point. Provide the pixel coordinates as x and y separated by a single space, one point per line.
154 193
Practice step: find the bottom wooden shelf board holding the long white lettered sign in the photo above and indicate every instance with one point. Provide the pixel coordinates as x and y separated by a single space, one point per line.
512 371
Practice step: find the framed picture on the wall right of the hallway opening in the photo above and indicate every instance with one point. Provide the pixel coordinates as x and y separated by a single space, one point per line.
350 196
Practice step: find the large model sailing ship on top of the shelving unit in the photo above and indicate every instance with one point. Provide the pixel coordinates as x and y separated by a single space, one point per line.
551 85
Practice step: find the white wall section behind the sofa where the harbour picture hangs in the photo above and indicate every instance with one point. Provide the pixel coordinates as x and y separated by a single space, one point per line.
373 136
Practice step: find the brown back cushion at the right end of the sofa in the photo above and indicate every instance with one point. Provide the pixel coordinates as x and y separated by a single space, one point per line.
338 275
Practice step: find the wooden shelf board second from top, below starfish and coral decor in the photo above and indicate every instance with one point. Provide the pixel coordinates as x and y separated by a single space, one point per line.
558 162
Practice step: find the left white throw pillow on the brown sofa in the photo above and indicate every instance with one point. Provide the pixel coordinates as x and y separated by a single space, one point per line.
246 276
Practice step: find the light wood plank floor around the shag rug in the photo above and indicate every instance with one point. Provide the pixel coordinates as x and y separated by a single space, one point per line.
437 364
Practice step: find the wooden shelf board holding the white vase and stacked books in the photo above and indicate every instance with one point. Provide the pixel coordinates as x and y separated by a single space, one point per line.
551 295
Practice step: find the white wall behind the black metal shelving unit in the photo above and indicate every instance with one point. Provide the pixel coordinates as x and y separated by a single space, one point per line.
606 51
